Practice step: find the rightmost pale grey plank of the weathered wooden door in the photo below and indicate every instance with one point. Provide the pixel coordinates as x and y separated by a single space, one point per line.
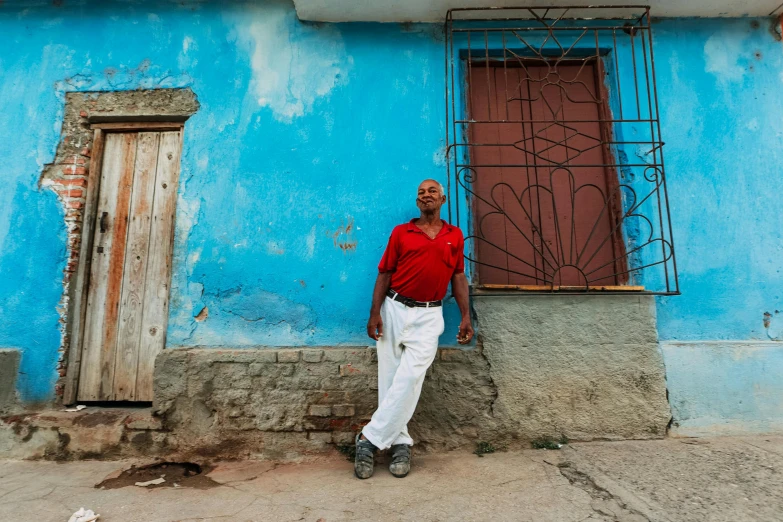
156 294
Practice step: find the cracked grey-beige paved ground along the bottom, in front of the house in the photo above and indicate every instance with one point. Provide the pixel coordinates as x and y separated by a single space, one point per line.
731 479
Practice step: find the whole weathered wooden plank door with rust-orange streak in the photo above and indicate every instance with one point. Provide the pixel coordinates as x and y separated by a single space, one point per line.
130 269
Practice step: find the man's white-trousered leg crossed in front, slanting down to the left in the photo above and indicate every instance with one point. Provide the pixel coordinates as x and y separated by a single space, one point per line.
420 338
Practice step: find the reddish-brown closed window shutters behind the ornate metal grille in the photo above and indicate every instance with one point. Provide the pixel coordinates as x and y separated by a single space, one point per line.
545 205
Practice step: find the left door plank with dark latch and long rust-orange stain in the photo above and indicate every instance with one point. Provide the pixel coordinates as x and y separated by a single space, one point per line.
106 267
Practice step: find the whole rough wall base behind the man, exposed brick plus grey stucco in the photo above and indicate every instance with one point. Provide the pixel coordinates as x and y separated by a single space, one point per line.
583 368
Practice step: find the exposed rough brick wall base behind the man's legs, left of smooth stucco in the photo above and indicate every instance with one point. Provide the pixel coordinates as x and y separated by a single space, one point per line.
281 403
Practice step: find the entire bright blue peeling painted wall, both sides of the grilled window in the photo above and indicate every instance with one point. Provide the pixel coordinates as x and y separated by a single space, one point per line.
307 149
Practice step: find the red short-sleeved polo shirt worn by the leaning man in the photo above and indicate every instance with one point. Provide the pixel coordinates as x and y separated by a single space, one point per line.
422 267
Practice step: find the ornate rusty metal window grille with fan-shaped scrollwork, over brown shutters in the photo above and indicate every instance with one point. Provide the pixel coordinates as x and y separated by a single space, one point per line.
571 92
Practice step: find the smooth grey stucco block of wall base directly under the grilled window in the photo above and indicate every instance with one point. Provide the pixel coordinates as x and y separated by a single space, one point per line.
583 367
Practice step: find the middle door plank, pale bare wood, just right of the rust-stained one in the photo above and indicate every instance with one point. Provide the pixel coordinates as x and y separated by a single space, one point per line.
135 267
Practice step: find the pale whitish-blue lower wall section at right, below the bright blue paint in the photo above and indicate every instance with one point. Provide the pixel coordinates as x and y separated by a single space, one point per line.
724 387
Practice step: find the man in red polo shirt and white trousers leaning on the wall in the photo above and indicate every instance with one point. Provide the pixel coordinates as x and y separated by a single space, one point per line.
406 319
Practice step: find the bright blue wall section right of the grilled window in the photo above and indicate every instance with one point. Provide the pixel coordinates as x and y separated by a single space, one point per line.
722 116
